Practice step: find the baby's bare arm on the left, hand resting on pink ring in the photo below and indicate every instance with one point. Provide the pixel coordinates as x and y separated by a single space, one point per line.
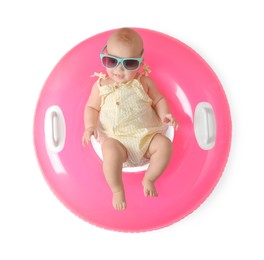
91 113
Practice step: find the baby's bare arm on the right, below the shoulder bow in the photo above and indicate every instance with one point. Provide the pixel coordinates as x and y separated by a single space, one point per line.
159 102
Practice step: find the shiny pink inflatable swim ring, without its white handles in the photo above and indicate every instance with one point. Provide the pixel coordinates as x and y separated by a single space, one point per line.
75 173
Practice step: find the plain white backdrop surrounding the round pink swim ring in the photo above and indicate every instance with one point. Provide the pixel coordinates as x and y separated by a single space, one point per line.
36 34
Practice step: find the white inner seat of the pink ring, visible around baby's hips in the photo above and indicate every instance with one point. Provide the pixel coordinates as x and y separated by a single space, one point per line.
98 150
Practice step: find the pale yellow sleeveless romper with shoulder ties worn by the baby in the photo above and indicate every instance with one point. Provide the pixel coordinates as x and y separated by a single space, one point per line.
127 115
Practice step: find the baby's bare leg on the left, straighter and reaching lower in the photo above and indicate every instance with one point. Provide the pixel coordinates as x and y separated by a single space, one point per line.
114 155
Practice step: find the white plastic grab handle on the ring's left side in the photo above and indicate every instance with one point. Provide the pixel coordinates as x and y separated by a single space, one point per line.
55 129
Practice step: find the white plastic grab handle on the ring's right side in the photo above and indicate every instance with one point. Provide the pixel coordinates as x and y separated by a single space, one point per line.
205 125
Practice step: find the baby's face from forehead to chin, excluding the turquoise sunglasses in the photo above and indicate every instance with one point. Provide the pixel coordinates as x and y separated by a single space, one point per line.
119 74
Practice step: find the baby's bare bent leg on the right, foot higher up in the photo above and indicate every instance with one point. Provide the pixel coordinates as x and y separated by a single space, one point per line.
159 152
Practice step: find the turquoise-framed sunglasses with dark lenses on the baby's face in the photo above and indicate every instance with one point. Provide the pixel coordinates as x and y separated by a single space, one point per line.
112 62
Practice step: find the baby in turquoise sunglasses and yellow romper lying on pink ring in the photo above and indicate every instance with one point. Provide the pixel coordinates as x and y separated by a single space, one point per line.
128 115
